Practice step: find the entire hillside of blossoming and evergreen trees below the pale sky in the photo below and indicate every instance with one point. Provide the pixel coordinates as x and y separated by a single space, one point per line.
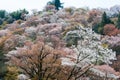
60 43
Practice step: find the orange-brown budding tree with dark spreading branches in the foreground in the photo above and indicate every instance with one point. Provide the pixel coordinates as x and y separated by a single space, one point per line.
38 61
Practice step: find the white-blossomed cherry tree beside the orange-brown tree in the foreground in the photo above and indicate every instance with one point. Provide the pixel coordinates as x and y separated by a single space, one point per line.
88 51
